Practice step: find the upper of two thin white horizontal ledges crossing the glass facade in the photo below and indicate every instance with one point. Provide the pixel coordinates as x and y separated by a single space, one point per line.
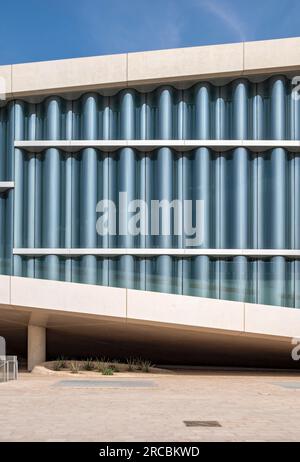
149 145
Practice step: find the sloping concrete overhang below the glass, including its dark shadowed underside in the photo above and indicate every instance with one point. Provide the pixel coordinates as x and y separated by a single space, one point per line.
123 320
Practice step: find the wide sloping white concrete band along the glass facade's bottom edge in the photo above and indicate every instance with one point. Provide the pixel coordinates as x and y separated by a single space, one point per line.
153 307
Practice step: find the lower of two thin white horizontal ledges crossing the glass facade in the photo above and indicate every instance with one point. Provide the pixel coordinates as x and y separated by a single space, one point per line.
68 252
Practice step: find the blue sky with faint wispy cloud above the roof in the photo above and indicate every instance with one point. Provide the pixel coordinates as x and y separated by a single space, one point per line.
34 30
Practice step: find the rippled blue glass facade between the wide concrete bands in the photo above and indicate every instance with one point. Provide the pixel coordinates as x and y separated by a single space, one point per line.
251 198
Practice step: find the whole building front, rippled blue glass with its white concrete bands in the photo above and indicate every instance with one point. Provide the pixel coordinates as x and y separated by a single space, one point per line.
217 126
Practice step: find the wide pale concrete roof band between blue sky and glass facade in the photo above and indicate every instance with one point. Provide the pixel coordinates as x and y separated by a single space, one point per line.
152 67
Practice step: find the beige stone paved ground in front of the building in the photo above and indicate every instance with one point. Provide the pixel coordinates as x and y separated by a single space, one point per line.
250 407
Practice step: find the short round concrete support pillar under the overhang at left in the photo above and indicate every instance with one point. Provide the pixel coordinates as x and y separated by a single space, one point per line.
36 346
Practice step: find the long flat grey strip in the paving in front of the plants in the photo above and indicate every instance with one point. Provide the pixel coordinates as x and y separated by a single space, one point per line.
105 383
